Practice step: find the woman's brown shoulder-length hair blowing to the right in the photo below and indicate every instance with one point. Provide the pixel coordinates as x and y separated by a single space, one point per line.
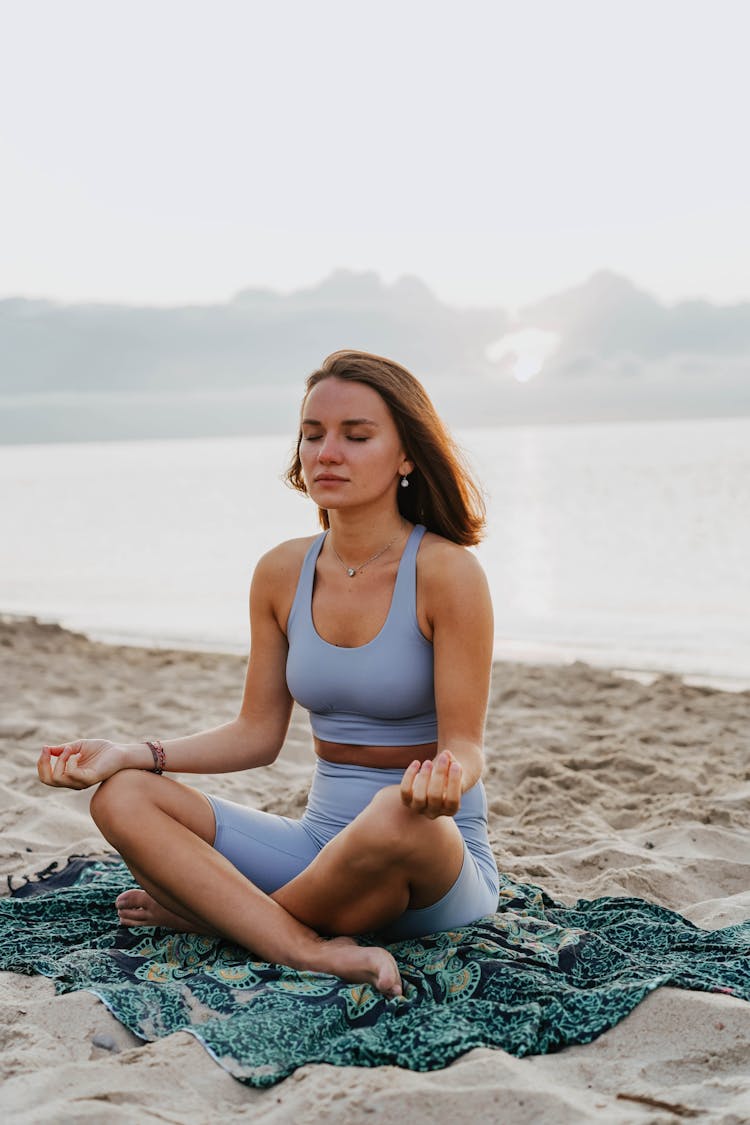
442 494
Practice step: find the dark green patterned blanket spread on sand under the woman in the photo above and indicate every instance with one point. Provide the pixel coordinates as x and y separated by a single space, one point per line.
532 978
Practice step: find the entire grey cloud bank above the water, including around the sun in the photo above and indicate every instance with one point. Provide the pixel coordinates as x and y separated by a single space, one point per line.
601 352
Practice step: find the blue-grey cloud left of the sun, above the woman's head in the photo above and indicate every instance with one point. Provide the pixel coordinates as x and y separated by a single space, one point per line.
259 337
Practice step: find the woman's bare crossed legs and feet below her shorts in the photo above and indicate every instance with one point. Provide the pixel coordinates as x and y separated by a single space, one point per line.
386 860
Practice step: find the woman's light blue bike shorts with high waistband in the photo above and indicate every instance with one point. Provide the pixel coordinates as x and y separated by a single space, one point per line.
270 850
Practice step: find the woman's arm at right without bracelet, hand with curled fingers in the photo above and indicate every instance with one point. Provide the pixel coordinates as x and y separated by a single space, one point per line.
458 607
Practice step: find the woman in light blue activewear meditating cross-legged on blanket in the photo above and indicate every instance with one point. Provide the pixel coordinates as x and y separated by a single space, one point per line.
384 632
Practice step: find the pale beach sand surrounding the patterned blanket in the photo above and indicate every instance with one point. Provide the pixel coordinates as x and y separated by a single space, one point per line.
598 785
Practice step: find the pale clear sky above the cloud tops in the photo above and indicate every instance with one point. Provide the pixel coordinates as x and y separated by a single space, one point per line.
170 151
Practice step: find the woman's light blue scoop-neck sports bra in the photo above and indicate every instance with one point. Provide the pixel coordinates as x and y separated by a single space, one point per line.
376 695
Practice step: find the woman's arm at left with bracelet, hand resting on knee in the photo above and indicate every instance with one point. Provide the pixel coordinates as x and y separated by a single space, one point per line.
254 739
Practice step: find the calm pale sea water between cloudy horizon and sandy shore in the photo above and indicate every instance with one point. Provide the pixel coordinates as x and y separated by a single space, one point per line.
626 545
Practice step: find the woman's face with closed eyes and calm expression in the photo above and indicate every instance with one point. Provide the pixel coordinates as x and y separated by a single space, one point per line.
350 449
